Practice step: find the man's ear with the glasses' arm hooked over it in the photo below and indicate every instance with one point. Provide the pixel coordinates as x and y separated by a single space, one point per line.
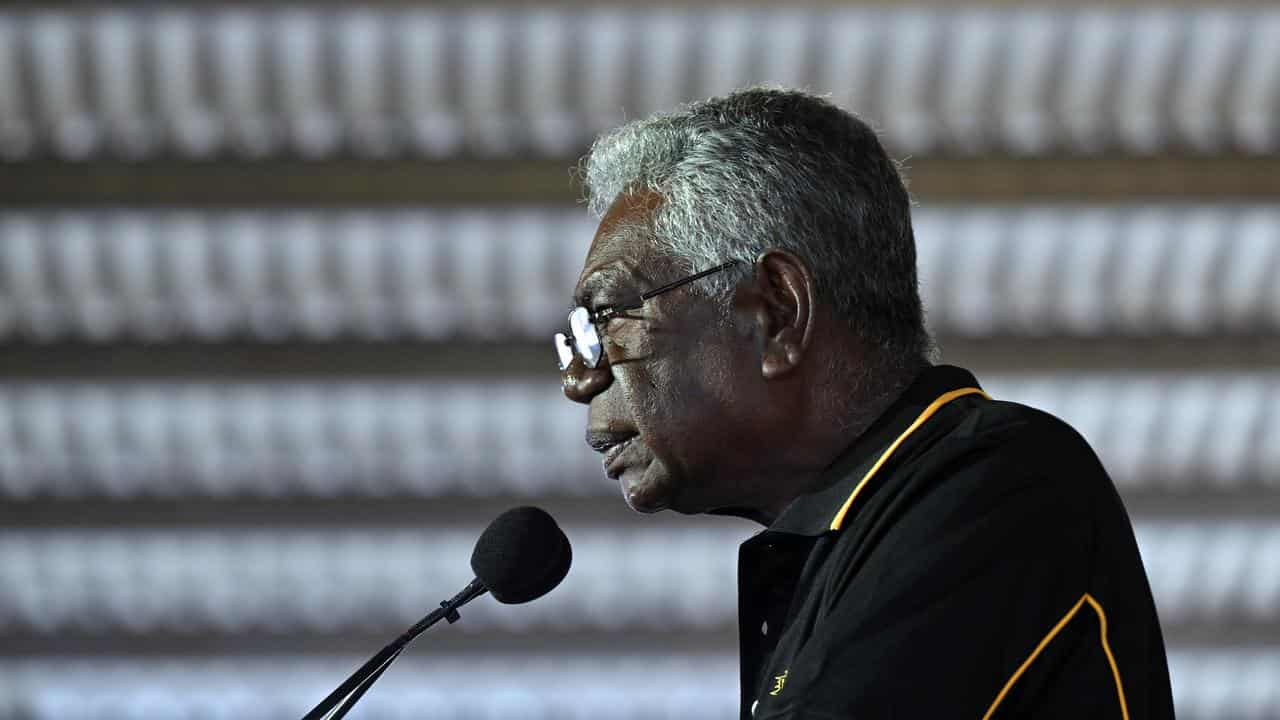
781 302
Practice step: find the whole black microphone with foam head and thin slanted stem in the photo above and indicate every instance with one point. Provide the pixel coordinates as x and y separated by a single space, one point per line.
523 555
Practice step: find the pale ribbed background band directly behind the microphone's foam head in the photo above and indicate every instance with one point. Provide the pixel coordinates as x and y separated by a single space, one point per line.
662 580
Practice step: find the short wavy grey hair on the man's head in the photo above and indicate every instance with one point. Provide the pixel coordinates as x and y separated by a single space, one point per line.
775 168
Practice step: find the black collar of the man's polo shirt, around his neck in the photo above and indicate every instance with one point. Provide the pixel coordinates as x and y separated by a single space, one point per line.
812 513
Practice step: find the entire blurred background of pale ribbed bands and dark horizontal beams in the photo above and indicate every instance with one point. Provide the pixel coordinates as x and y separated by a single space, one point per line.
278 282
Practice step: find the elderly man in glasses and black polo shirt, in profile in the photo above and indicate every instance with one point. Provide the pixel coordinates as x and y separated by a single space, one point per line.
751 341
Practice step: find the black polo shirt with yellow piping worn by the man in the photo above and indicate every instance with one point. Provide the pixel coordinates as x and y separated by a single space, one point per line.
966 558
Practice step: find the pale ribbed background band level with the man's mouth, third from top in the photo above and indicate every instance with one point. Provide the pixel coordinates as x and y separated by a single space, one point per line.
1214 432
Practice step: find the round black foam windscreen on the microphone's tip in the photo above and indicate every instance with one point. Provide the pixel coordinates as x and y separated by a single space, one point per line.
523 555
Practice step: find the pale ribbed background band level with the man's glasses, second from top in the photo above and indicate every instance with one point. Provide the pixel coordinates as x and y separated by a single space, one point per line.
1075 271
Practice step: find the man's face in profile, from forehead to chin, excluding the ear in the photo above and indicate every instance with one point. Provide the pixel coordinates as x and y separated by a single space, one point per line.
664 404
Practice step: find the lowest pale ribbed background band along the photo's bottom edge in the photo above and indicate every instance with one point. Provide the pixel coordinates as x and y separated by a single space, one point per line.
1237 685
